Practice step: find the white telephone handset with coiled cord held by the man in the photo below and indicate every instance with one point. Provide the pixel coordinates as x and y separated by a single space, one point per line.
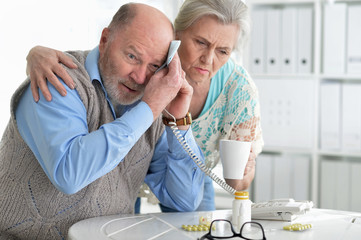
172 51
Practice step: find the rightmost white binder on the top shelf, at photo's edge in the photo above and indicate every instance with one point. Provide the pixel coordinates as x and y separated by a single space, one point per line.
354 40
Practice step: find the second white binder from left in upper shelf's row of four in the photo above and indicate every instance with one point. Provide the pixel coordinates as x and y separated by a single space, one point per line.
273 44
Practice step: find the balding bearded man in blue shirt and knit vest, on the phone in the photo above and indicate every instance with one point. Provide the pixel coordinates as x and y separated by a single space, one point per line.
87 154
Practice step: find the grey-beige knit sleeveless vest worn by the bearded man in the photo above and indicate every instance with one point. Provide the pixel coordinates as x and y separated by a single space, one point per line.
32 208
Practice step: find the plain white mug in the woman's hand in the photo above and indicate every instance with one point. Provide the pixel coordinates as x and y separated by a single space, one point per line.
234 157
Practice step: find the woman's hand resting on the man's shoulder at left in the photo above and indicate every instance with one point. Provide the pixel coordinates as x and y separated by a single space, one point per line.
44 64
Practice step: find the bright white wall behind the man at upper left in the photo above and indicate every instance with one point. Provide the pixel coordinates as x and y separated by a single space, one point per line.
65 25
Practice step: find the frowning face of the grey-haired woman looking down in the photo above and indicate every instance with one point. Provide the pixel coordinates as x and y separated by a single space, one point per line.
205 47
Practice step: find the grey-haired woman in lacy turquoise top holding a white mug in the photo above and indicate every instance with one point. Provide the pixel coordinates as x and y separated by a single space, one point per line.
225 102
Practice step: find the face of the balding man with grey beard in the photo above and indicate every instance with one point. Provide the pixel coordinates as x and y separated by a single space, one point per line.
128 59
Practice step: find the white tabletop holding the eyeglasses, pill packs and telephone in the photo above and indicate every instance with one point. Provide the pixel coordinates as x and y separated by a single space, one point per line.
326 224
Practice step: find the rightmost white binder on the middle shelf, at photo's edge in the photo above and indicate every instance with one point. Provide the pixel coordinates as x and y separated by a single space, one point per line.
351 117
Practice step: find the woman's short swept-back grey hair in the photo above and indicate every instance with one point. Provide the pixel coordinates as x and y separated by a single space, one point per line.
227 12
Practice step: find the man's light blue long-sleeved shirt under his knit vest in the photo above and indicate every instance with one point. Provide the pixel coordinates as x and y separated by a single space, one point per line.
58 135
